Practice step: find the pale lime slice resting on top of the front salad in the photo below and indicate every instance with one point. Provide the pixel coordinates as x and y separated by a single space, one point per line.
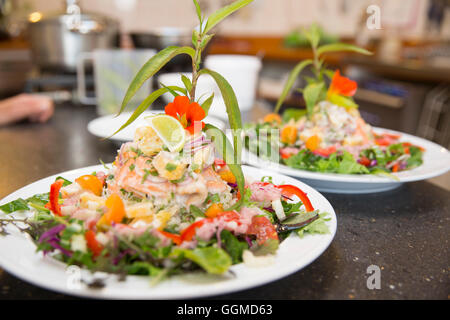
169 130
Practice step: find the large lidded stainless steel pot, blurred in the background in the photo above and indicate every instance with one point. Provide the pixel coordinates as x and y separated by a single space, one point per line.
56 41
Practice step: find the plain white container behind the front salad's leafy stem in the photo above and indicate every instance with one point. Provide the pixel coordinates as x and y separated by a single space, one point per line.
241 71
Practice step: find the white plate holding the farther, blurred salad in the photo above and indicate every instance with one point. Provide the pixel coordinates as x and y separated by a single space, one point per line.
436 161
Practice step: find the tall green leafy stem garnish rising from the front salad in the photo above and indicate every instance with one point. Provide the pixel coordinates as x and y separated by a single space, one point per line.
200 38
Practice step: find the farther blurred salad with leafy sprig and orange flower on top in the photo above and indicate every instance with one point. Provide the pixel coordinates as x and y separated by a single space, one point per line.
329 135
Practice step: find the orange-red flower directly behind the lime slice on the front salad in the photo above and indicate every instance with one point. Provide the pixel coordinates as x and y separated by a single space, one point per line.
188 113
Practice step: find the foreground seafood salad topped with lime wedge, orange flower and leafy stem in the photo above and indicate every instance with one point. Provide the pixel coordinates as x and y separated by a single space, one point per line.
167 204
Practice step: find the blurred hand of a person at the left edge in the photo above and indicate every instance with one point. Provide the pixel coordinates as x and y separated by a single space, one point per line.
34 108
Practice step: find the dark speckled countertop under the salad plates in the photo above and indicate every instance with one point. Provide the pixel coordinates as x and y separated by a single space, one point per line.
405 231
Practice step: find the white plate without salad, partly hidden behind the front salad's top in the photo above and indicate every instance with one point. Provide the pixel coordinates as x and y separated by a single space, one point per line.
105 126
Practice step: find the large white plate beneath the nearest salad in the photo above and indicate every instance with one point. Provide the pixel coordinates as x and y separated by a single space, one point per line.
18 257
